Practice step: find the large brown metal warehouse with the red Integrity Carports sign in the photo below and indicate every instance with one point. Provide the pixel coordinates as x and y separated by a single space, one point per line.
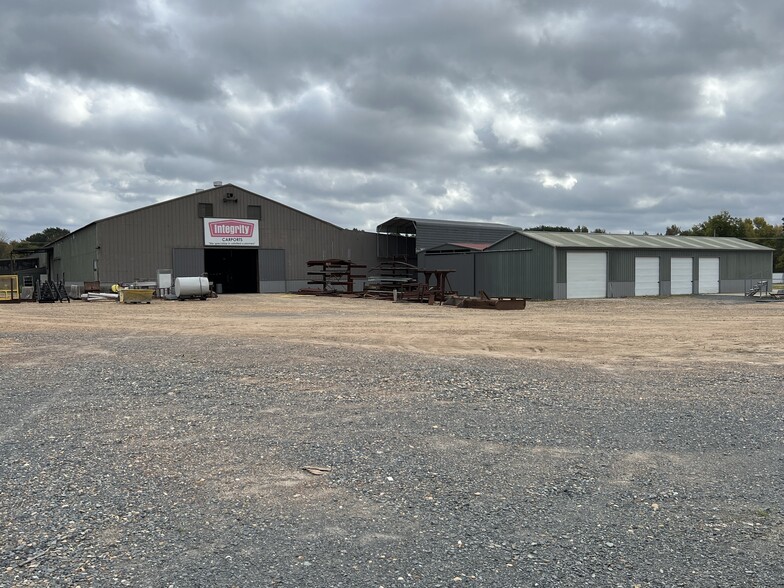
242 241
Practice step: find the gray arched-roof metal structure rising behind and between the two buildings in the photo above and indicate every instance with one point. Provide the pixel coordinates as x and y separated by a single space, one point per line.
404 237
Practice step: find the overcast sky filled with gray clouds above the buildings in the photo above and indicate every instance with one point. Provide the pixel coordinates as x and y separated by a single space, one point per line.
629 115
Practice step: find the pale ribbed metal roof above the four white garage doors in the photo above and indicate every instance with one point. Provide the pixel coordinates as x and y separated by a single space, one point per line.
605 241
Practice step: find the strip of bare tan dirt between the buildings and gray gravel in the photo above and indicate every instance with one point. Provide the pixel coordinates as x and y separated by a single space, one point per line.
610 332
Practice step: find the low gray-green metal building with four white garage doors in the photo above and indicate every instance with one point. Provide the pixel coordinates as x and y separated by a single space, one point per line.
551 265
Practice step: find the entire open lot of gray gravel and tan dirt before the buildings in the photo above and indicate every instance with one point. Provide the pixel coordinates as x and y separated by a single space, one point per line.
164 445
